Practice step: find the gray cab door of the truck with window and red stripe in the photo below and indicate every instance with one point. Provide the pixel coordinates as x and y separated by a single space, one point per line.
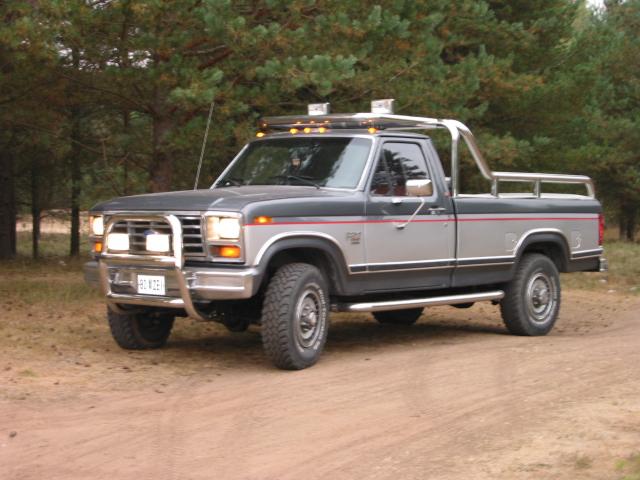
408 234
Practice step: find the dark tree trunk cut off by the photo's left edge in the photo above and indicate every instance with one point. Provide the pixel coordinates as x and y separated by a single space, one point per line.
7 205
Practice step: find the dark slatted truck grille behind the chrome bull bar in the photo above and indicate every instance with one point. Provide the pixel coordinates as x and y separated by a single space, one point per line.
193 245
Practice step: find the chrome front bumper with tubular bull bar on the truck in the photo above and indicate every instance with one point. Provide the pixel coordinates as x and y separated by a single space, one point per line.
186 286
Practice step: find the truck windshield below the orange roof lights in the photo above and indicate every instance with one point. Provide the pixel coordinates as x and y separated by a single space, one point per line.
320 162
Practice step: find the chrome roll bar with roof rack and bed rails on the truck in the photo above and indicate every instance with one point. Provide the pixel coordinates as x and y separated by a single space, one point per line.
456 129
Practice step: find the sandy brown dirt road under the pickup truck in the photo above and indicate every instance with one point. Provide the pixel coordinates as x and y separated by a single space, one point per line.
452 397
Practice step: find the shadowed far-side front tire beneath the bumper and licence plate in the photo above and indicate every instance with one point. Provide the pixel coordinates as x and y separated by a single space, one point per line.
140 331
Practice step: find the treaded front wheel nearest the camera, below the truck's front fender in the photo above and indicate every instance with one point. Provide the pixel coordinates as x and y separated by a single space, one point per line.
295 316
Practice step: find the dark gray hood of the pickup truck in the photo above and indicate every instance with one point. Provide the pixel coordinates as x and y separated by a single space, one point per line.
227 198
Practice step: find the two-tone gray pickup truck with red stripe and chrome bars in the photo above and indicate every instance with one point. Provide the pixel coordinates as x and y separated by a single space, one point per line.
340 212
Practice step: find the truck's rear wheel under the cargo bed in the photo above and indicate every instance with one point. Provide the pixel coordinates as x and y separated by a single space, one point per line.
532 299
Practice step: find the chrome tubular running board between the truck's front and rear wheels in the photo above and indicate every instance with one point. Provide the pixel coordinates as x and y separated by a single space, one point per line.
420 302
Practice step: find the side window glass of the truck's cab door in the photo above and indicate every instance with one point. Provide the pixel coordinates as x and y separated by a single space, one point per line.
398 163
